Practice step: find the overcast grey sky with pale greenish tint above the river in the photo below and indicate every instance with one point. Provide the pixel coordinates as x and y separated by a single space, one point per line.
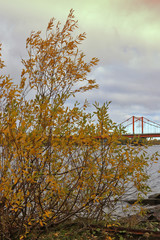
123 34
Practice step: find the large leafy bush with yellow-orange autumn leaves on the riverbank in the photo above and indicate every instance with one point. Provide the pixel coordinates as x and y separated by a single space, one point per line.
59 163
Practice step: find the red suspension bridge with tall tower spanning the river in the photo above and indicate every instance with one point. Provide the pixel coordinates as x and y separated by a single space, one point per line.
141 127
